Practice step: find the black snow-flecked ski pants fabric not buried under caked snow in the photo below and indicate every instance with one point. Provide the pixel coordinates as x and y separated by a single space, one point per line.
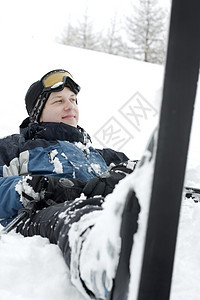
55 221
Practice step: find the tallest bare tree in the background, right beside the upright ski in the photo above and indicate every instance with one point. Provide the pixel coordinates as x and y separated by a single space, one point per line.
147 32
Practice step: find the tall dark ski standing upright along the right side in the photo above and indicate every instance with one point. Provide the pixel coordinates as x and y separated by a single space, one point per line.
179 92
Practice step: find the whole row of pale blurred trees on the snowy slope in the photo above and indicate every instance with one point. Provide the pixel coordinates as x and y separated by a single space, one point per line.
141 35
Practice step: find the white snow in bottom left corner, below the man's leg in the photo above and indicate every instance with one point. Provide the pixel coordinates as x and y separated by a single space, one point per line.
32 268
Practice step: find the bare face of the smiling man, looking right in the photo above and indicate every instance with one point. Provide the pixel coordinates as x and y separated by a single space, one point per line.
61 107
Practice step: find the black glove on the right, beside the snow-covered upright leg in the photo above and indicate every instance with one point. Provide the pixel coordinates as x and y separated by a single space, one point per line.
104 184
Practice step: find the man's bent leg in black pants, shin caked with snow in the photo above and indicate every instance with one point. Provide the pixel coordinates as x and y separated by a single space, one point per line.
89 238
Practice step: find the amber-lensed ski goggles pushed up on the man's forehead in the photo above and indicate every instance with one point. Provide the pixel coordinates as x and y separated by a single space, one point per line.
58 79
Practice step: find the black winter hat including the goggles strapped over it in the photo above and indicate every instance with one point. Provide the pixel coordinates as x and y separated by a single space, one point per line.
38 93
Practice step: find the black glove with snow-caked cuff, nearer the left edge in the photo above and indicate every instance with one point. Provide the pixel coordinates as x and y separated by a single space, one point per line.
42 191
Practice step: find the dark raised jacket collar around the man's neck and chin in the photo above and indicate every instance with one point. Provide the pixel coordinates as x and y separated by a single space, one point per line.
53 131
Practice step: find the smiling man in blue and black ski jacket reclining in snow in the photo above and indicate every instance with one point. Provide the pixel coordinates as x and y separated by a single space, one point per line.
46 168
